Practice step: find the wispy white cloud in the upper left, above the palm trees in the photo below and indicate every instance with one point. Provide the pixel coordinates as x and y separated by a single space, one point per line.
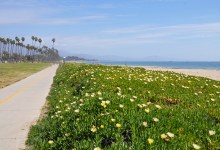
37 13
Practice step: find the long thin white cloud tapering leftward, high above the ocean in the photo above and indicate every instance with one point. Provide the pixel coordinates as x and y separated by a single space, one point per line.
207 29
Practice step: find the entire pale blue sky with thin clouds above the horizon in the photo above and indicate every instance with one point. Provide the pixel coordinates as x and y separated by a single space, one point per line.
125 29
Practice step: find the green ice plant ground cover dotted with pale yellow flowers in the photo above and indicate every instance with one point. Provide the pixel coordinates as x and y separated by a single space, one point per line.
110 107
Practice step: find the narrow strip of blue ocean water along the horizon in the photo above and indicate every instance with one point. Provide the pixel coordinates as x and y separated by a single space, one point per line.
167 64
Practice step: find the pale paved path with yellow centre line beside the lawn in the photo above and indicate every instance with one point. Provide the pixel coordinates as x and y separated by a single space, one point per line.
20 107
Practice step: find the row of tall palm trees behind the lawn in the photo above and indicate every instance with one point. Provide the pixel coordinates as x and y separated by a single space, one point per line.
14 50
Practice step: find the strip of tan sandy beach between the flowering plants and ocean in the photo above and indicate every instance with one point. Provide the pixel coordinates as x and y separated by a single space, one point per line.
208 73
